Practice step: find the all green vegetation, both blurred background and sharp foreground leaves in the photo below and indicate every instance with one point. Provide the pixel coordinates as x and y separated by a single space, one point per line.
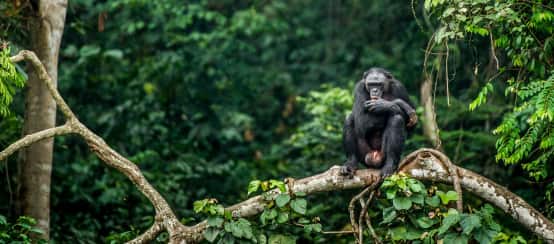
213 97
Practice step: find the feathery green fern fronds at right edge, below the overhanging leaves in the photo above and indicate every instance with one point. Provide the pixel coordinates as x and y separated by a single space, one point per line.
525 135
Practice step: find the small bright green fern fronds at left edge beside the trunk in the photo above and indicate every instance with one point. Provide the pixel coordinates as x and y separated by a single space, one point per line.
10 81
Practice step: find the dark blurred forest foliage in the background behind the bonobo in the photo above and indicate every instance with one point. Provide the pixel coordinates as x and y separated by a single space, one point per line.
206 96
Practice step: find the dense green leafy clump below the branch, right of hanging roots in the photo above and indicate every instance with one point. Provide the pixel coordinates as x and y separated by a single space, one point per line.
410 211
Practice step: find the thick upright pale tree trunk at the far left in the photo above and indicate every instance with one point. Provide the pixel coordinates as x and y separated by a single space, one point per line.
46 29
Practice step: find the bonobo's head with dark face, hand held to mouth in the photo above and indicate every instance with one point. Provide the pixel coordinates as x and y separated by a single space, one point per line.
376 81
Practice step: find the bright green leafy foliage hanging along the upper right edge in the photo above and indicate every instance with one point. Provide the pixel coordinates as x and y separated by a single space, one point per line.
523 31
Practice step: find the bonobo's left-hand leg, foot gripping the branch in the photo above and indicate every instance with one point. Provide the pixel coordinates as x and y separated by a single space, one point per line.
350 147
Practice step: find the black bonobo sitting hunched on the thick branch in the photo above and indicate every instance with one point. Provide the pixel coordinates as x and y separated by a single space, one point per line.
375 131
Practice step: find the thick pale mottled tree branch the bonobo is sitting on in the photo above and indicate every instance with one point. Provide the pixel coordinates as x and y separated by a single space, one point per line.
423 164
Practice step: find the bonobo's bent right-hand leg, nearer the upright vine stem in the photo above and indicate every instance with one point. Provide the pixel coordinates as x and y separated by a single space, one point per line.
393 143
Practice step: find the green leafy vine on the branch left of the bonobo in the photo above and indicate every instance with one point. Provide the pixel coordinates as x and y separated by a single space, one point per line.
280 208
